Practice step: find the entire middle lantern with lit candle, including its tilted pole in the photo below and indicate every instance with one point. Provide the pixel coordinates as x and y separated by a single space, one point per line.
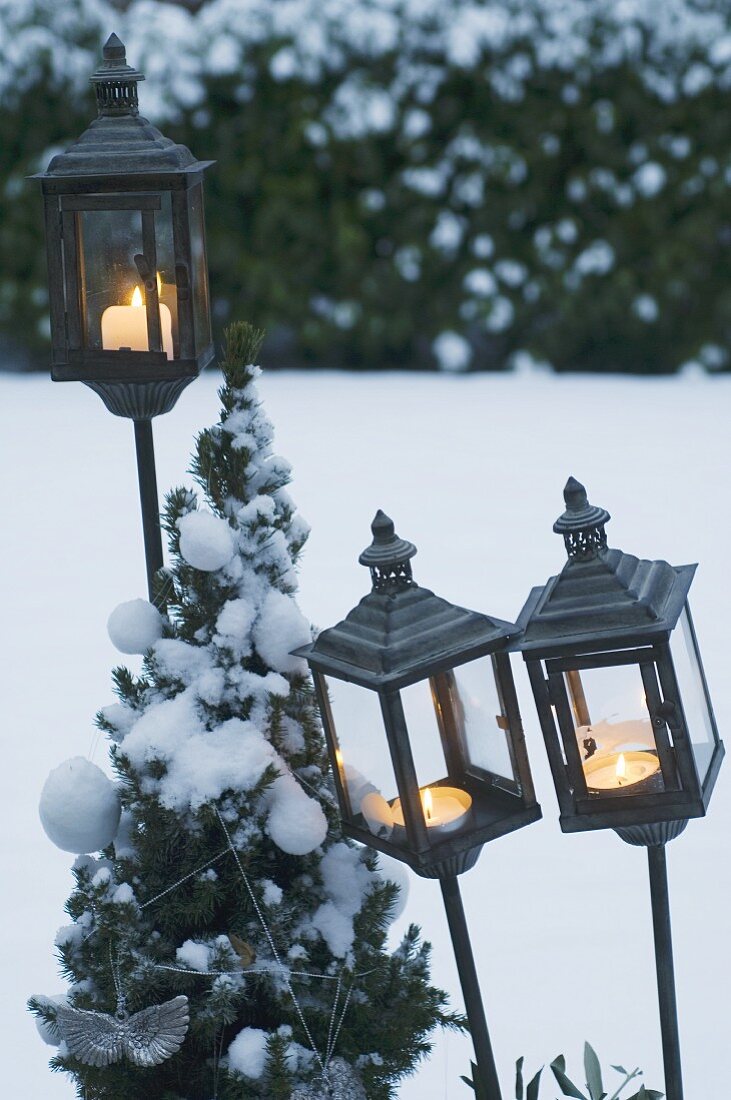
425 738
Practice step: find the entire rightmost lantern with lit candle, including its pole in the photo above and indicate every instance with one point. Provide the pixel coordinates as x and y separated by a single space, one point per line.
625 708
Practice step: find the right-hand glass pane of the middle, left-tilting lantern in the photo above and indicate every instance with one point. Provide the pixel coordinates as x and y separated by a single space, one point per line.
480 718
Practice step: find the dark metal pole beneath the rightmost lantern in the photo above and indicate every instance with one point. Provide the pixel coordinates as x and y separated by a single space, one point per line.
669 1017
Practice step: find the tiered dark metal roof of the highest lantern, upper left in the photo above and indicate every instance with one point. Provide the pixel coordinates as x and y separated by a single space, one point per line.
120 142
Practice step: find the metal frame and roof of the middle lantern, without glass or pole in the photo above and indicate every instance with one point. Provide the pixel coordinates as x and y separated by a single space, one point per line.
401 635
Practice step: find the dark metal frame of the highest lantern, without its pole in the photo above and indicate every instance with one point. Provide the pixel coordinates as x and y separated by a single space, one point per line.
123 166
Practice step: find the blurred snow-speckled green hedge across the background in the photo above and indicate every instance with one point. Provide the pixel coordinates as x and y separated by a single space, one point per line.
428 184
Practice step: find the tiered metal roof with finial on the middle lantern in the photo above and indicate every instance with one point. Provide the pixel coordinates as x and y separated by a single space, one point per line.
401 633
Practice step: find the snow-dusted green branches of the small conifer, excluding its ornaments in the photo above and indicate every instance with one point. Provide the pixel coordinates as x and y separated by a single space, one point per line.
185 883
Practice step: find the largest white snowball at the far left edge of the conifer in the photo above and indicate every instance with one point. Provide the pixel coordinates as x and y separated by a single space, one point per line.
80 808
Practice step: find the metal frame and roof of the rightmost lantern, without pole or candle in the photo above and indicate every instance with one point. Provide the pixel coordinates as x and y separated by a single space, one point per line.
608 610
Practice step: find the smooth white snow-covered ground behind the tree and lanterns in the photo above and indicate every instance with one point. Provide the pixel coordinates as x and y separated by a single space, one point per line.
472 470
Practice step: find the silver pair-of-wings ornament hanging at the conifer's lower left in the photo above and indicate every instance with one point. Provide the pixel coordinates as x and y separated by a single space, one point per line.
147 1039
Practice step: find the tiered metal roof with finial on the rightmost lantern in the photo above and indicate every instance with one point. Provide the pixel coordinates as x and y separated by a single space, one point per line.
602 597
